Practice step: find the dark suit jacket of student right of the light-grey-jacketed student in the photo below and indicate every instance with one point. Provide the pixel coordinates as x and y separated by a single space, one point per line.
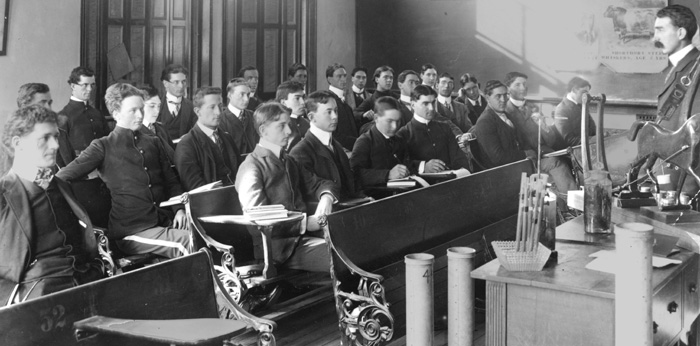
318 161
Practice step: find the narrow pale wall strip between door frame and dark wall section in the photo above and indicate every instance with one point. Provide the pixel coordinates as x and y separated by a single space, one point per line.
336 37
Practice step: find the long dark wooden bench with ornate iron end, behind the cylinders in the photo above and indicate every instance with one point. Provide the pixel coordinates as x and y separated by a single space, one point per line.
369 242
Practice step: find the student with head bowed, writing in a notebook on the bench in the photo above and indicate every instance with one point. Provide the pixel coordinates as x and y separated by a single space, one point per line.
378 155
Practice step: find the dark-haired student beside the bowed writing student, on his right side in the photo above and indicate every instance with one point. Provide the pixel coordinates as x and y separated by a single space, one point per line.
431 144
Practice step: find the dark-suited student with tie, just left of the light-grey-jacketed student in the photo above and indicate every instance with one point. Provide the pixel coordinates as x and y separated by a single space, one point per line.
207 153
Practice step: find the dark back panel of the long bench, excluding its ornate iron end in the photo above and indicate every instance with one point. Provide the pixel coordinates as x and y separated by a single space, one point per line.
375 235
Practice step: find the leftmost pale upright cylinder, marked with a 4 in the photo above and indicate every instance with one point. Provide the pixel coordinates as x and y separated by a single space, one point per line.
419 299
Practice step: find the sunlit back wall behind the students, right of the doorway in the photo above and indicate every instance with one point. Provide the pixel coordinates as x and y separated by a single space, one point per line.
490 38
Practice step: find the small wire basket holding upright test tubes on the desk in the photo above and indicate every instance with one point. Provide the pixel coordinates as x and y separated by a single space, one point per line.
520 261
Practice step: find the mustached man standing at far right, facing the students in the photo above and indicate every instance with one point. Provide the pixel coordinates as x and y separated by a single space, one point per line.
674 29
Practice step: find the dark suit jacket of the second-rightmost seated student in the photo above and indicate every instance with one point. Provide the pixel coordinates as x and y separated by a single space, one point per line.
527 129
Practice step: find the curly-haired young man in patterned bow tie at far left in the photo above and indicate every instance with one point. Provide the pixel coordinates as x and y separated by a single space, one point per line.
43 246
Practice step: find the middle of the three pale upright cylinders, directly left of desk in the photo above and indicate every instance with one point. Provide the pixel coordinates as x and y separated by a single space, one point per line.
460 296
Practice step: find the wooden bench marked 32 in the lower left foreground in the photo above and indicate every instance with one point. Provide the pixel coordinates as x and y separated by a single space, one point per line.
173 302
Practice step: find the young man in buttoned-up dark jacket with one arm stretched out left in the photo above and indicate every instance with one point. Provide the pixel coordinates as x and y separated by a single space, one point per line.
138 175
